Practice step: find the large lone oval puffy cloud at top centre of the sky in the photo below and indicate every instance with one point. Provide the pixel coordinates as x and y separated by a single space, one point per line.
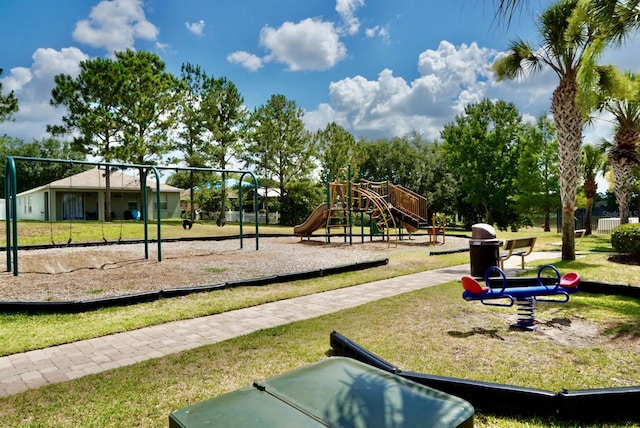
310 44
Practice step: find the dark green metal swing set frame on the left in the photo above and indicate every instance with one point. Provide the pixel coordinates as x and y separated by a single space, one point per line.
11 206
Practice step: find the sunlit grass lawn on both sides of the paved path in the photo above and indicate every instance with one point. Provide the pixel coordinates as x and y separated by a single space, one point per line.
431 330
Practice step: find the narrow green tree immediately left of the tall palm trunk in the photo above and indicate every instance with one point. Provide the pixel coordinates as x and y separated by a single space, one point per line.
537 180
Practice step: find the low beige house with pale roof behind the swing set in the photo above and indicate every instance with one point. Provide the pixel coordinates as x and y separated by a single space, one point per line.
80 196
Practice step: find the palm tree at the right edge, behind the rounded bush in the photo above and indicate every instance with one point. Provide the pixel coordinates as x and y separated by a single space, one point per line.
619 94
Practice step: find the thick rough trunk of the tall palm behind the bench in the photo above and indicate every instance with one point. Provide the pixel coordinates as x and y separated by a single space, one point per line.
569 122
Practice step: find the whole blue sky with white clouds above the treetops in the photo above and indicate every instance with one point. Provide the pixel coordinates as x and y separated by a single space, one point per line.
379 68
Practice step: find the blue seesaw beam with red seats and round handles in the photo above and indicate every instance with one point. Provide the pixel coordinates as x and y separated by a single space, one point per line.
563 286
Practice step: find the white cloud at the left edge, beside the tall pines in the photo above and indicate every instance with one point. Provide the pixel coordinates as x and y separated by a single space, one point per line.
32 87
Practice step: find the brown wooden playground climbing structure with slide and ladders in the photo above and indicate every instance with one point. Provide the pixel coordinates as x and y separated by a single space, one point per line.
387 207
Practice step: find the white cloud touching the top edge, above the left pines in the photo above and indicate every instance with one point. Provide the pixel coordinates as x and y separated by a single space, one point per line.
115 25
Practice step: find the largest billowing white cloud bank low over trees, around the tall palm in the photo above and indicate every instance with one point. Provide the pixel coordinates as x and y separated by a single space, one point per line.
450 78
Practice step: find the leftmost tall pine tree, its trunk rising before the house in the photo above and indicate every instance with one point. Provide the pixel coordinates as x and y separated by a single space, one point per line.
93 116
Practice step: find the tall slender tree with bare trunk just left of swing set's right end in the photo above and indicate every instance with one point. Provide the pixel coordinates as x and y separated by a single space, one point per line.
225 118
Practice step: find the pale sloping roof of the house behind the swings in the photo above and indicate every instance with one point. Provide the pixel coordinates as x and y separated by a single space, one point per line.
95 179
